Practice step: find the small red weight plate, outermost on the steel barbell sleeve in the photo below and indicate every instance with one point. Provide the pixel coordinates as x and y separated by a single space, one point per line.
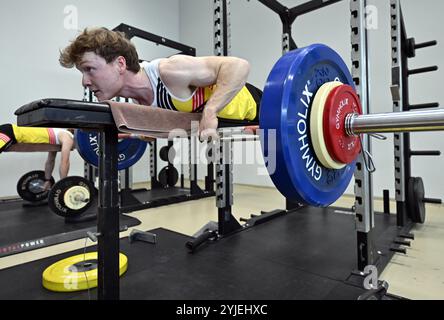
341 101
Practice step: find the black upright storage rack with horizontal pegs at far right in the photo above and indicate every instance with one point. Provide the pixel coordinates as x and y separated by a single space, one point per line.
404 48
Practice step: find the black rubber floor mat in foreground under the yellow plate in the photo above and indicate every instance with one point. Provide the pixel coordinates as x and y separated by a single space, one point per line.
307 254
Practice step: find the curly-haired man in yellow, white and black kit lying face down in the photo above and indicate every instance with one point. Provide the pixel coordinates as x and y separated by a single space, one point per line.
213 86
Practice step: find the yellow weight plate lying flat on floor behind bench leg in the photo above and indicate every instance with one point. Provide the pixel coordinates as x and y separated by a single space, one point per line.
76 273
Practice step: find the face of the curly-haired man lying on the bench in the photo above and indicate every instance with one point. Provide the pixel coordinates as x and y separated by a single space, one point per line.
102 78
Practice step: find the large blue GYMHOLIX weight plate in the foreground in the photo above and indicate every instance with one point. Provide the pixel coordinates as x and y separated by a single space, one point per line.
285 107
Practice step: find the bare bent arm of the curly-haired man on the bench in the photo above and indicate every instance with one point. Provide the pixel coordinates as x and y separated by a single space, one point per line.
181 74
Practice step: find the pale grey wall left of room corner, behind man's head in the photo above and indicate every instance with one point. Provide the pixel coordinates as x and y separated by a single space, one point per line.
33 32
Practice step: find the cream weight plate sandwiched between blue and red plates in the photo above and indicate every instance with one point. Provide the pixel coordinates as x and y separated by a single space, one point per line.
317 126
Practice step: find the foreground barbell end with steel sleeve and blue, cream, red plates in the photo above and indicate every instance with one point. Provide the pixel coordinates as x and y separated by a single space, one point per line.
311 109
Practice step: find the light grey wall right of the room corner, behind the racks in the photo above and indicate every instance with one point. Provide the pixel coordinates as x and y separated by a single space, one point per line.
256 33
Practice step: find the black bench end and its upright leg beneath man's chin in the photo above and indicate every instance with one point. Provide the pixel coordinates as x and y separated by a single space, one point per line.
77 114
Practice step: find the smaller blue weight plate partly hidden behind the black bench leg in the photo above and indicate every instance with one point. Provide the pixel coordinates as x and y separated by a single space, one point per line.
130 150
